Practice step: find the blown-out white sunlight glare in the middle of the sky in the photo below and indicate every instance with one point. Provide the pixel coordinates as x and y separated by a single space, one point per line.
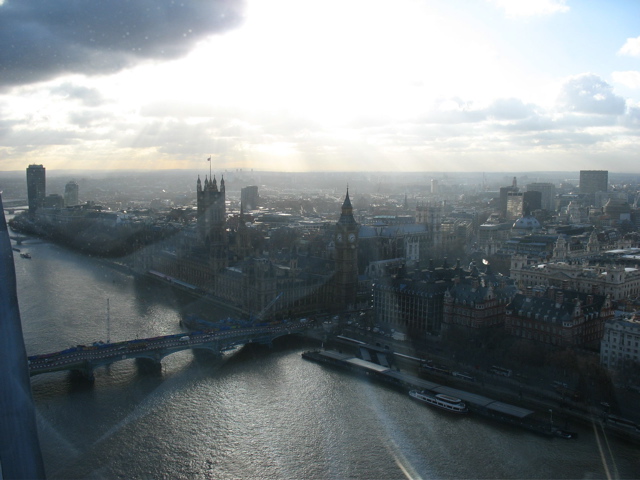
332 62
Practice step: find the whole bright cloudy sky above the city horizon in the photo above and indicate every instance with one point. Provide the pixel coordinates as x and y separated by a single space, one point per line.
321 85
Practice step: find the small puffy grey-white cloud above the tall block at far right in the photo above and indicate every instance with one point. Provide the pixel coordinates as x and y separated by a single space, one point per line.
588 93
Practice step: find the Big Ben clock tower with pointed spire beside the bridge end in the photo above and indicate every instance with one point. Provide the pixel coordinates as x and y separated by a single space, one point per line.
346 241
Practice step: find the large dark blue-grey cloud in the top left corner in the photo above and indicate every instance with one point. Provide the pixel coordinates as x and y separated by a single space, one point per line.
40 39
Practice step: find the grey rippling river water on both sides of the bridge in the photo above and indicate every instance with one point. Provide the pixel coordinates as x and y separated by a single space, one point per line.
255 413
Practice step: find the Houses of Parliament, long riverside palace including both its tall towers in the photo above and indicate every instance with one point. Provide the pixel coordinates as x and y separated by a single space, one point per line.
211 259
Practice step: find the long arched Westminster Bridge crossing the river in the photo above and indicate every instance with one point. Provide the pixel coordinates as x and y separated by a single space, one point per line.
150 351
